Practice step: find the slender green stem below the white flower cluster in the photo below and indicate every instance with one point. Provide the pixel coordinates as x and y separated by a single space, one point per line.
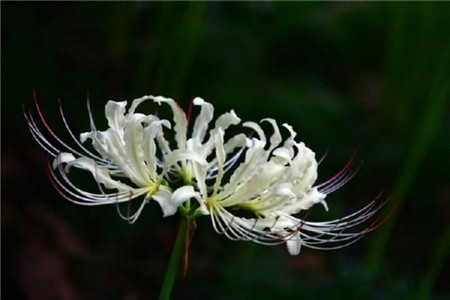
174 262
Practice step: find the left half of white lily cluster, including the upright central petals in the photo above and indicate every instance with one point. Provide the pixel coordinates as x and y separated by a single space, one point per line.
133 147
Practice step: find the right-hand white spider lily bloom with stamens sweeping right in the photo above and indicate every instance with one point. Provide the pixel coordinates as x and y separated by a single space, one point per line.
275 182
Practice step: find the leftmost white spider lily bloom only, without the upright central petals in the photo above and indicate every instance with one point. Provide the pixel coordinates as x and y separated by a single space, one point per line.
127 149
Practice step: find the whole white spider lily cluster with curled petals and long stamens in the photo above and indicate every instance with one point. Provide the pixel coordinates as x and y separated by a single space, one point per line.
252 187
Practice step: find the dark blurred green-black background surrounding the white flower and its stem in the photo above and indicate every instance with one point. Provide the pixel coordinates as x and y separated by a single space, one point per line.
343 74
